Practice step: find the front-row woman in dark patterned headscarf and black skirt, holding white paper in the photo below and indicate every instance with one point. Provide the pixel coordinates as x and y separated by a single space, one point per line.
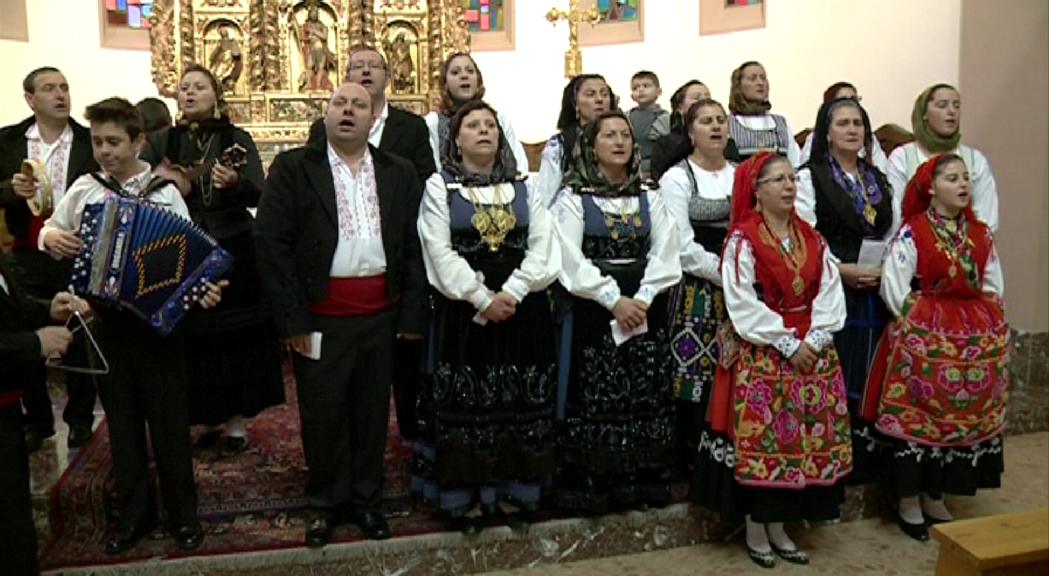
619 255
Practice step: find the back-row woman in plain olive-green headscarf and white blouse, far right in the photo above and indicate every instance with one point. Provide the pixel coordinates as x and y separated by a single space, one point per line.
936 121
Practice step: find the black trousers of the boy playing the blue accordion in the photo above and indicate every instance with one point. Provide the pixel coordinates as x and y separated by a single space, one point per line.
146 387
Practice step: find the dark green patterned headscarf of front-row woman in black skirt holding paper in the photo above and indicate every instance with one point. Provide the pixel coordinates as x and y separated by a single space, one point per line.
585 176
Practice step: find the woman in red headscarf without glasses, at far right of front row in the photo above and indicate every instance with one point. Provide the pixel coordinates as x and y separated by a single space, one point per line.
938 387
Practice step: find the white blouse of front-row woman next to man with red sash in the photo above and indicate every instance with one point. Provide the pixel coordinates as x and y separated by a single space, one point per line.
452 275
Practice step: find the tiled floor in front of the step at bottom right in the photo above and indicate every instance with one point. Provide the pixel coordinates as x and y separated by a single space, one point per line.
874 547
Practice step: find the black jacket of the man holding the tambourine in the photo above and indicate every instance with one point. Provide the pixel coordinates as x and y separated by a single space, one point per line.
14 151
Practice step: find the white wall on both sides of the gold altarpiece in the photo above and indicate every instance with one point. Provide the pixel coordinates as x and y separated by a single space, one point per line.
891 49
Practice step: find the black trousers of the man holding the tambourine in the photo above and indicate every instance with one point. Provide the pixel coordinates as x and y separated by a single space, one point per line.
42 276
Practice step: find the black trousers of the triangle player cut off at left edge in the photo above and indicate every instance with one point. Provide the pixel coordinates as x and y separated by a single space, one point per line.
18 538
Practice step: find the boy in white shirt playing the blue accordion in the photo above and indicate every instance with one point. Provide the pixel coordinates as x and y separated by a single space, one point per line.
146 383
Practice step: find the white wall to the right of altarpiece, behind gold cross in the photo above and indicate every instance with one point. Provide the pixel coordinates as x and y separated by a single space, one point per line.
891 50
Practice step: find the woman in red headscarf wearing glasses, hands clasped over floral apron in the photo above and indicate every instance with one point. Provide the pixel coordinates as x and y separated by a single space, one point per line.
783 397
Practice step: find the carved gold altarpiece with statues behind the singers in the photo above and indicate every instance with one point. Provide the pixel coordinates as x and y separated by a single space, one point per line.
279 59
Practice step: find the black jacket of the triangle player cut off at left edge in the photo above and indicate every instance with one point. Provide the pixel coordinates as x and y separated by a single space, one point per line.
20 316
